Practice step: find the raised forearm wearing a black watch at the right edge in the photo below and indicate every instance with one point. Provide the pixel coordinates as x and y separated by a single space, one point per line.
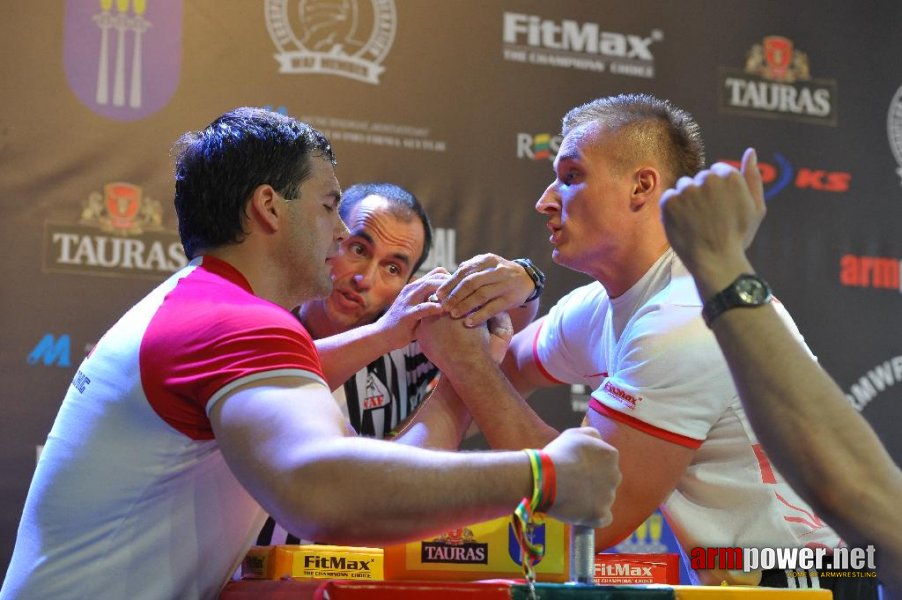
803 419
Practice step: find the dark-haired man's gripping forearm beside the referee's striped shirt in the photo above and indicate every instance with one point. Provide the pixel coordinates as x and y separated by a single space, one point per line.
441 421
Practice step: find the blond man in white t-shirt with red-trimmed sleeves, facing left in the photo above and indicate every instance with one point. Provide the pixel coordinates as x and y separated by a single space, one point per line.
662 391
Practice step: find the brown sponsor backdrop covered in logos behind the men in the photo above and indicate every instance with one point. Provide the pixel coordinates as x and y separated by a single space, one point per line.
461 103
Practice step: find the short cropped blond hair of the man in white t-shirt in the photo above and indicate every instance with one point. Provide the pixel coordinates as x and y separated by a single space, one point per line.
653 126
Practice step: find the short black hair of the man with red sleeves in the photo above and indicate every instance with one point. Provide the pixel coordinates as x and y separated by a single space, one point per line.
218 168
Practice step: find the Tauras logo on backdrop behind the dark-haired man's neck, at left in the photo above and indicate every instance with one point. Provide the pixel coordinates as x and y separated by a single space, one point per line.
120 233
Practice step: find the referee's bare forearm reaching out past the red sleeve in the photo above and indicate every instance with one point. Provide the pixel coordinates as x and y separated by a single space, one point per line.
344 354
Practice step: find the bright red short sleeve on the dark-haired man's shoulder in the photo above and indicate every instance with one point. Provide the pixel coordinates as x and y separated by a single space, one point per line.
194 349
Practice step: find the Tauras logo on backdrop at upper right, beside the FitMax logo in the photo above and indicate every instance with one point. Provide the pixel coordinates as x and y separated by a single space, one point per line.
776 82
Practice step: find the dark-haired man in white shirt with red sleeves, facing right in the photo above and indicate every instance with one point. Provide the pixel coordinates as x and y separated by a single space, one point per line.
205 407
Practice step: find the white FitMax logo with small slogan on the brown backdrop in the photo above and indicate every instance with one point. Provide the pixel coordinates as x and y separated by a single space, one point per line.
569 43
